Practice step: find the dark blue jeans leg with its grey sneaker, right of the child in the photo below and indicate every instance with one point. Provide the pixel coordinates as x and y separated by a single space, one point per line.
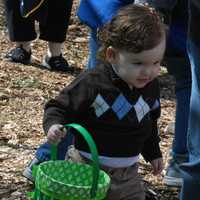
179 153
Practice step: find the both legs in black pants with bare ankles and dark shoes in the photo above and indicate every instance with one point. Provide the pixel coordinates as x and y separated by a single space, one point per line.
53 30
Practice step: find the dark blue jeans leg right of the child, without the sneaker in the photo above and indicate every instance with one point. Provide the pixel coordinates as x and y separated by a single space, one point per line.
183 92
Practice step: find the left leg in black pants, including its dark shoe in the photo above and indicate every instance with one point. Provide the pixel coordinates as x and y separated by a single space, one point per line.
21 31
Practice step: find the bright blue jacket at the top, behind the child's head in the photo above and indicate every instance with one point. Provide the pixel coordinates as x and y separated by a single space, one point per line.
96 13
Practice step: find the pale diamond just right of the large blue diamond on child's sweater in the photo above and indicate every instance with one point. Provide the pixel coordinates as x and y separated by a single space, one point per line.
141 108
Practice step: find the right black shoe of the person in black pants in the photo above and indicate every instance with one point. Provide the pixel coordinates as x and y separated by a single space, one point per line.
56 63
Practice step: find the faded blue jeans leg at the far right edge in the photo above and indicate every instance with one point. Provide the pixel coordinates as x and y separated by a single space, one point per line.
191 170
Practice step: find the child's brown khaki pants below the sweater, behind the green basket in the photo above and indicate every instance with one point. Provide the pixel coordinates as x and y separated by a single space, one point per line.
126 183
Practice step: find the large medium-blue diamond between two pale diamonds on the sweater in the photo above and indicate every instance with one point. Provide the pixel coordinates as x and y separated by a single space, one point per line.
121 106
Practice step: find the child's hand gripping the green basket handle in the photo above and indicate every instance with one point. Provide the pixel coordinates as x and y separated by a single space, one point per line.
56 133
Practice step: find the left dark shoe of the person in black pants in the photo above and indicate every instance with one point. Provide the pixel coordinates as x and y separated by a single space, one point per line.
19 55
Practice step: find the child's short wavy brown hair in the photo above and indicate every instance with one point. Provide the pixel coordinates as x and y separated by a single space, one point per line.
134 28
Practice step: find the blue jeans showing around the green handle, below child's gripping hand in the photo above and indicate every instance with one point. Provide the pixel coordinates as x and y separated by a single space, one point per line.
43 153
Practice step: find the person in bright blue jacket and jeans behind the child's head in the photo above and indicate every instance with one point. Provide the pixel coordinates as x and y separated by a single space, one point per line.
95 14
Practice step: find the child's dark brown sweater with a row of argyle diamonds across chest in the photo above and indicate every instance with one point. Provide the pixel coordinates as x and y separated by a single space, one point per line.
122 121
